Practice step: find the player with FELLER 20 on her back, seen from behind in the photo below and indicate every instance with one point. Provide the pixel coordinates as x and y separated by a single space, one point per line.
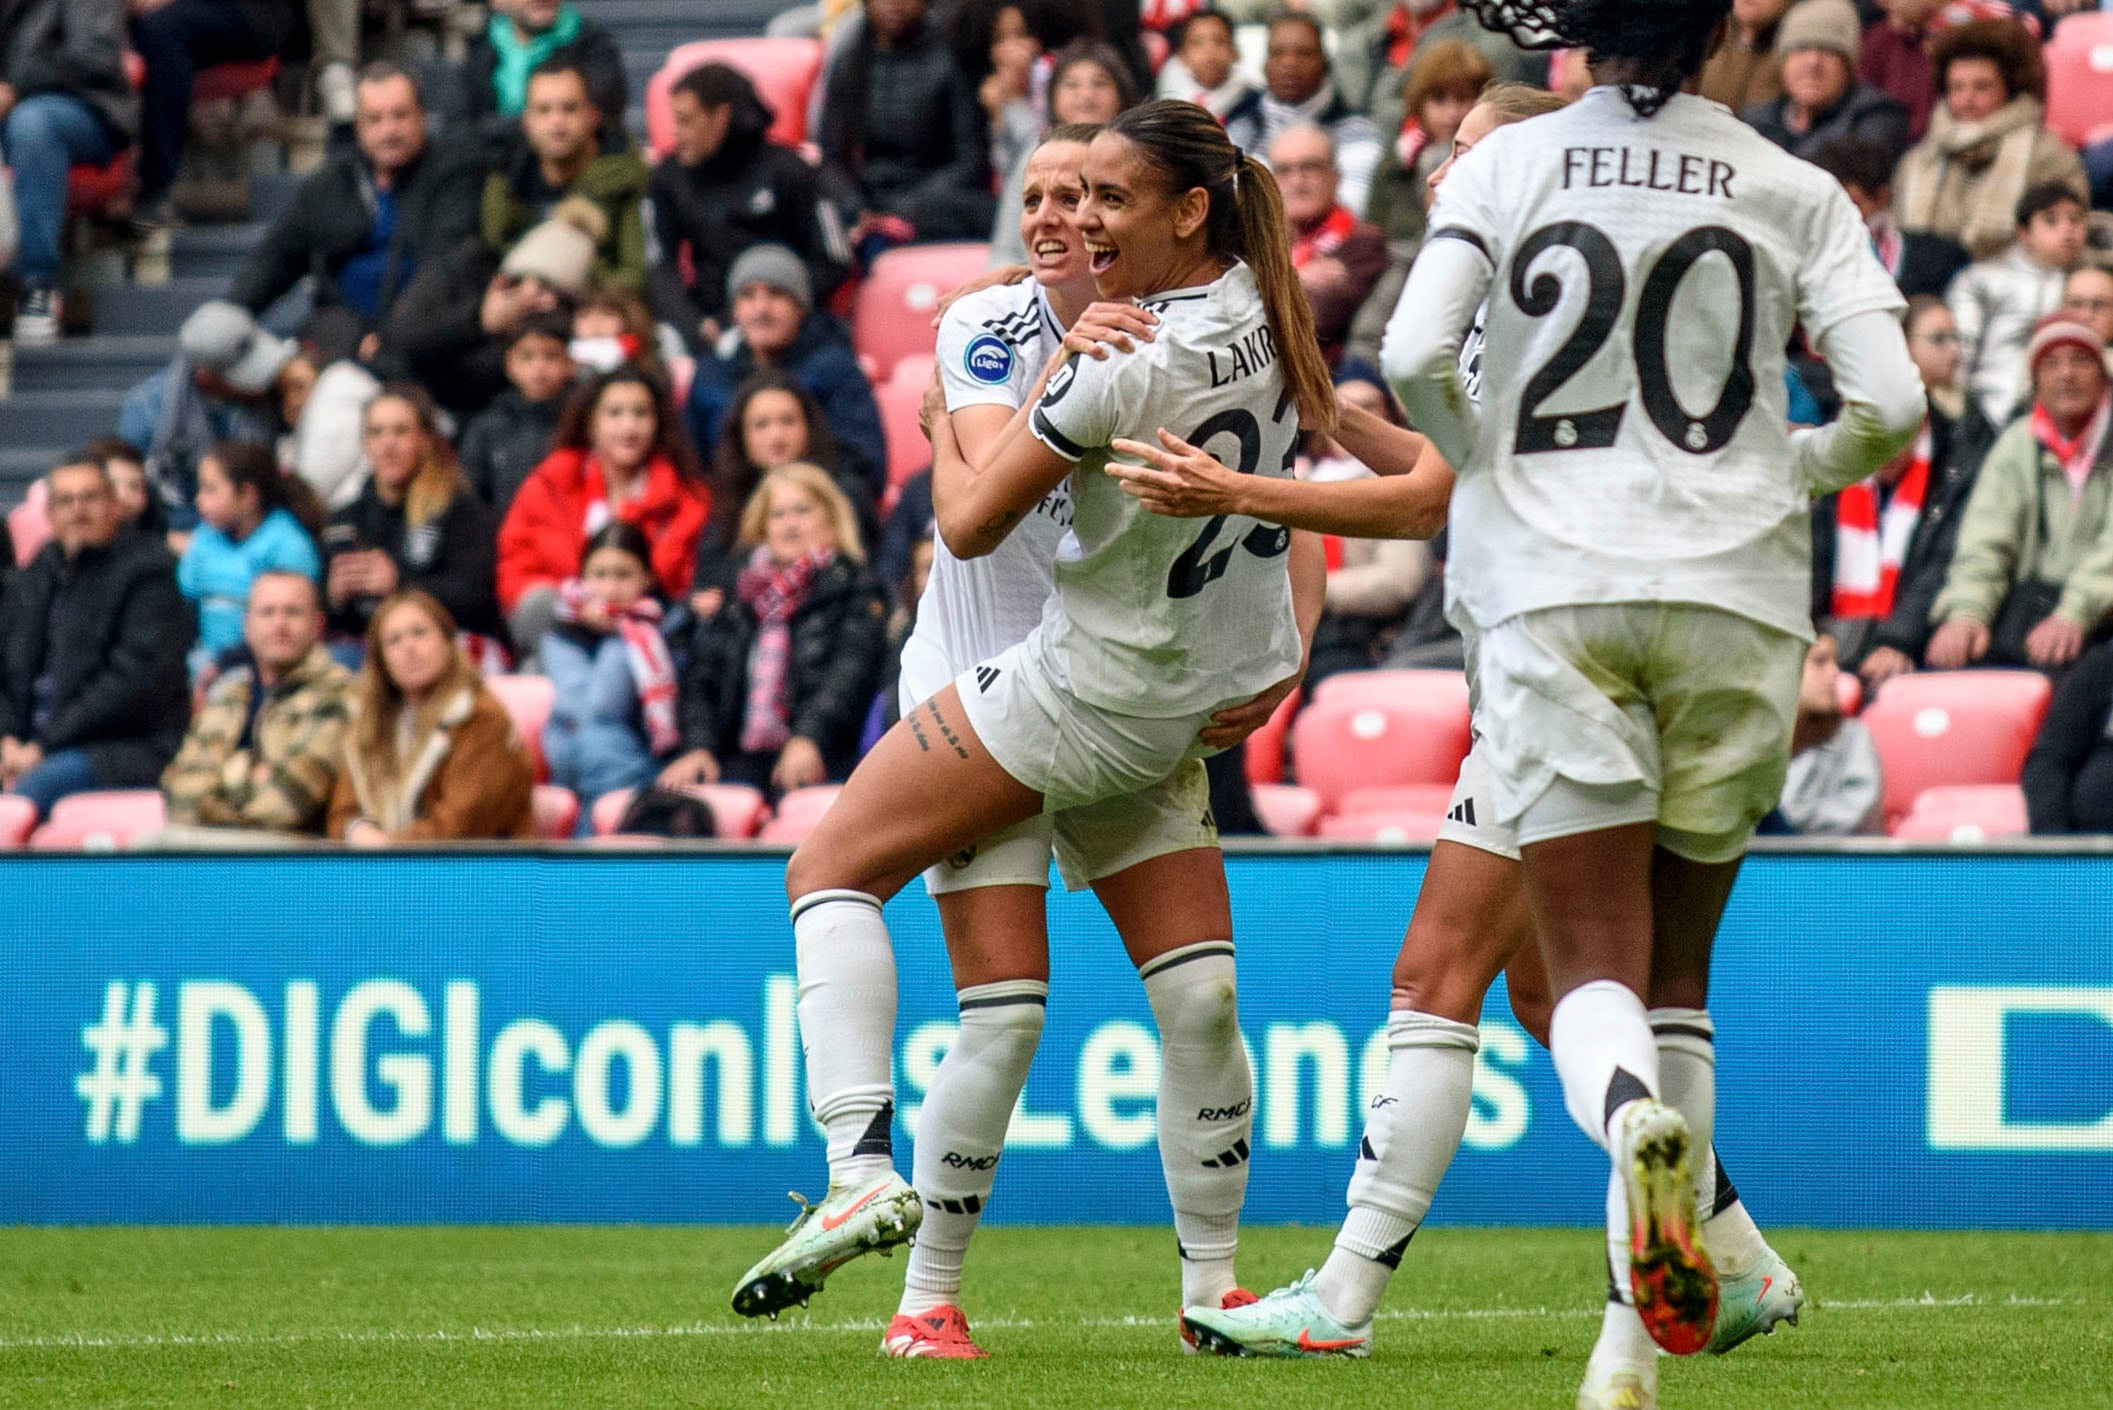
1634 555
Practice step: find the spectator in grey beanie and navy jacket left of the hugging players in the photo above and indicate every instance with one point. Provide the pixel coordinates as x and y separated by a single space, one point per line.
779 327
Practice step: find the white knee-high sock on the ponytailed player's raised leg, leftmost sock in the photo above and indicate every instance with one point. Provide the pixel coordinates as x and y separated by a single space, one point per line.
848 1028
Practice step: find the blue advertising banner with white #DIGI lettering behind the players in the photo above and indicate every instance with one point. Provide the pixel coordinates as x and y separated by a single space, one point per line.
1903 1041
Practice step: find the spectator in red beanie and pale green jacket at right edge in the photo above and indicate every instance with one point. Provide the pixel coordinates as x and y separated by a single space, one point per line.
2034 574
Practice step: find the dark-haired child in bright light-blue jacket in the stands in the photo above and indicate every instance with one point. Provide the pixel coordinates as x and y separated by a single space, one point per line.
246 527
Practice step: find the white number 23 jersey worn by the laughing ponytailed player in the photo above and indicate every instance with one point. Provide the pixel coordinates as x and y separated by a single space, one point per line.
1159 616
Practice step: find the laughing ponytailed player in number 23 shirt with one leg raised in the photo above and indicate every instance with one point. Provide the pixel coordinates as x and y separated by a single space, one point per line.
1155 629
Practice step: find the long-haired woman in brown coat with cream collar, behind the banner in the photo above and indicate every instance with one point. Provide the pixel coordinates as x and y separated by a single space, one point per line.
430 754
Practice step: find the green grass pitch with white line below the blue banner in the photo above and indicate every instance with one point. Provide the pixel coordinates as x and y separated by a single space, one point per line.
510 1318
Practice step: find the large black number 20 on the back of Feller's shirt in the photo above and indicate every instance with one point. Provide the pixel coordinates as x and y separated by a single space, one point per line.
1605 293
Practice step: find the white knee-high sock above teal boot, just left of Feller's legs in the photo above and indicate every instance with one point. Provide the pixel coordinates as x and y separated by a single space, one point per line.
1410 1138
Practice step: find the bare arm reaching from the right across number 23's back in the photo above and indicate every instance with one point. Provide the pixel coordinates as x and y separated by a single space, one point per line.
1186 483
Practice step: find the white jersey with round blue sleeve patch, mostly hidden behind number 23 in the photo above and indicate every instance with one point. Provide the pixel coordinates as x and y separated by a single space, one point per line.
992 348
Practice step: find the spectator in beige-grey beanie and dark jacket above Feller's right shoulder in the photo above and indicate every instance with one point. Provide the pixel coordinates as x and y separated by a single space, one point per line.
1820 45
